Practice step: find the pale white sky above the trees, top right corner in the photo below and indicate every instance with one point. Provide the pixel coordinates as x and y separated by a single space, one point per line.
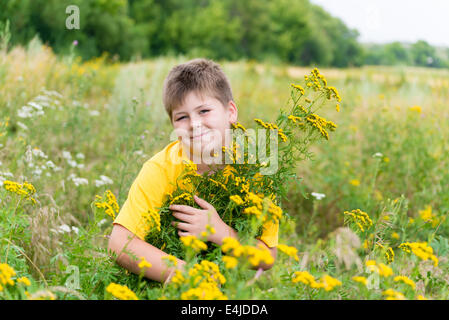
383 21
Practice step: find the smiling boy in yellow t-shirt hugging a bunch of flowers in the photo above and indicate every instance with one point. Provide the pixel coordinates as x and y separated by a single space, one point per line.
198 99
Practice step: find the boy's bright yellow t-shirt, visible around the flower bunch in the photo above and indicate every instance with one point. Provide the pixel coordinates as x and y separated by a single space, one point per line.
156 179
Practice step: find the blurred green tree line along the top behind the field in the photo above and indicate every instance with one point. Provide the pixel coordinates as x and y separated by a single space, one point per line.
291 31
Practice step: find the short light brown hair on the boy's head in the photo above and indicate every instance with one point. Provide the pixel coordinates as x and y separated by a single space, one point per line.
202 76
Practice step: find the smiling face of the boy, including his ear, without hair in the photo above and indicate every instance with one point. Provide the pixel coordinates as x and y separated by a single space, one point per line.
201 122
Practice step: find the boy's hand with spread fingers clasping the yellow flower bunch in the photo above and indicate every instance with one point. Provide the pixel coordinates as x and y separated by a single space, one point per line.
194 221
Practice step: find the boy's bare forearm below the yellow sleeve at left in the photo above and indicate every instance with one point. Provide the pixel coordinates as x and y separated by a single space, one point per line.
122 241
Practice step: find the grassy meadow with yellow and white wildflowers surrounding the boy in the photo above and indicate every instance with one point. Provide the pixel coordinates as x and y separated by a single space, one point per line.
367 220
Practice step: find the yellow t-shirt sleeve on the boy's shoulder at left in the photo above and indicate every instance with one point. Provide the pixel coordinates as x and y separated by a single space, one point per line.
147 192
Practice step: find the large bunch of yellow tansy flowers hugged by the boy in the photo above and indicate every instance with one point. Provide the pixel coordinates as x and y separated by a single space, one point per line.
244 196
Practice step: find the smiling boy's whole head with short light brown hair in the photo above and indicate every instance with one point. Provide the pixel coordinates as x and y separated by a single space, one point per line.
198 99
